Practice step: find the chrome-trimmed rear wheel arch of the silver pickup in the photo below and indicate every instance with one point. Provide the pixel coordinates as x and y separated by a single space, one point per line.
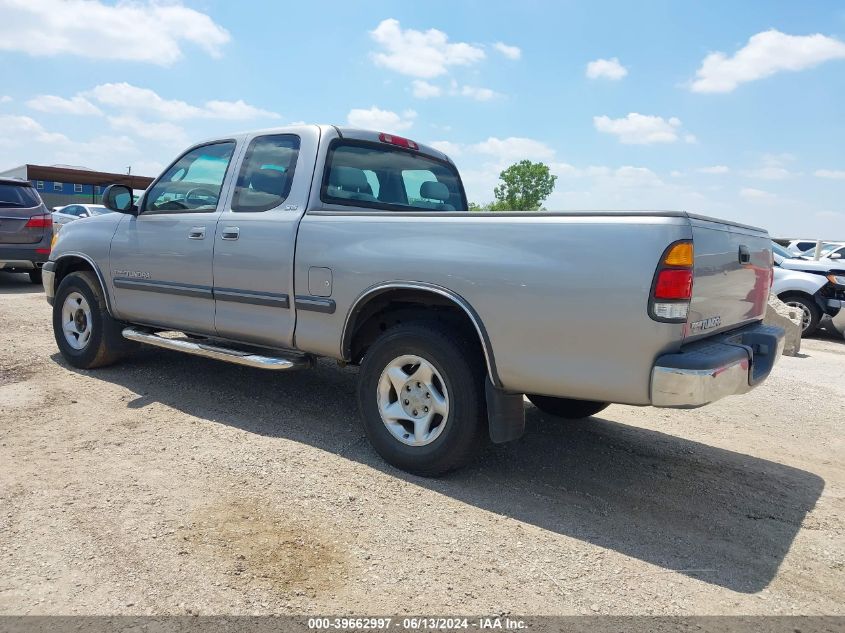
373 300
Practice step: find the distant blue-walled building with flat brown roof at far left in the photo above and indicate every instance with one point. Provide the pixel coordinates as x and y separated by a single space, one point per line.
59 185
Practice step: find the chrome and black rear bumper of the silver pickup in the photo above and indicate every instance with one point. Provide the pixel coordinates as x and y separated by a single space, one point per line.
723 365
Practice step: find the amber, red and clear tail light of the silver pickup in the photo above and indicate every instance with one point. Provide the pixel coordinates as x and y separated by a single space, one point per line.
671 289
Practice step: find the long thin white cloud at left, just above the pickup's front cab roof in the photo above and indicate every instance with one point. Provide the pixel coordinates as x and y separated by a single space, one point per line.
126 97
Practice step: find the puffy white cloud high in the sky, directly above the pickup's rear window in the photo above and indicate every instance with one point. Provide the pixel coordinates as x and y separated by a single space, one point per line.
423 54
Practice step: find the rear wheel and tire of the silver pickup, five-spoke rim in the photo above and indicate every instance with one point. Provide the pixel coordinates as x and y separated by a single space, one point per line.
457 375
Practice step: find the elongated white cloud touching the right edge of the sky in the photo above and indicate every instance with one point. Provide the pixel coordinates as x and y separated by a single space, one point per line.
765 54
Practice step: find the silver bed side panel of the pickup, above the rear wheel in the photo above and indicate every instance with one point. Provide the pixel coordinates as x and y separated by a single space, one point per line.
563 297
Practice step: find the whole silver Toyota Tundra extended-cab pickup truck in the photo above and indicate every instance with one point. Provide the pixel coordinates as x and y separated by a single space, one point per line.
272 248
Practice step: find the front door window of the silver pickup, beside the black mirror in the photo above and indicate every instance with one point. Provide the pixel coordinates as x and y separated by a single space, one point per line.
193 183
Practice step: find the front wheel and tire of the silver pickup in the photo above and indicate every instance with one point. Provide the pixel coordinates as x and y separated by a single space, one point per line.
97 340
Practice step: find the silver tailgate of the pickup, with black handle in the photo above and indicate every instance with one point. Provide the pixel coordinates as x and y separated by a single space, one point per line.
732 276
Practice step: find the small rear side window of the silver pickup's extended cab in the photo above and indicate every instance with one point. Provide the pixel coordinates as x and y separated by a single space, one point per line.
267 173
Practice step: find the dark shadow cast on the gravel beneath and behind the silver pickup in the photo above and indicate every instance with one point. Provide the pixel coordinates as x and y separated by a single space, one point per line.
722 517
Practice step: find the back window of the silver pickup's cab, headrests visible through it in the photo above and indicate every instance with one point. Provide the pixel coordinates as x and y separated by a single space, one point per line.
383 177
